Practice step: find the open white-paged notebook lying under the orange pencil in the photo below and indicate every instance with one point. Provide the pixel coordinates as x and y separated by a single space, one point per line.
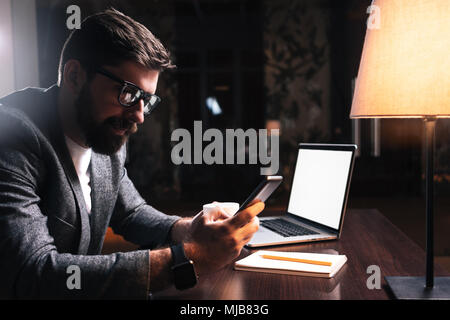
255 262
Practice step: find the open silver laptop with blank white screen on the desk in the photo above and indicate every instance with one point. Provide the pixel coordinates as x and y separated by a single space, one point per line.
318 197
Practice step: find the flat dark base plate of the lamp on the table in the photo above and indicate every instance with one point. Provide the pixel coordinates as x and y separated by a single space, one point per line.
413 288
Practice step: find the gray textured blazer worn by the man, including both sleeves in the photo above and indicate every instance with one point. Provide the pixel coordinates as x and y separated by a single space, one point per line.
44 224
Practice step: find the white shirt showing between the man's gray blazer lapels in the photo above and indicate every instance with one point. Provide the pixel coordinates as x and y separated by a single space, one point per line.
81 158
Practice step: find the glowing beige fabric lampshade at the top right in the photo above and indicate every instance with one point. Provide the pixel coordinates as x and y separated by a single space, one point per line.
405 63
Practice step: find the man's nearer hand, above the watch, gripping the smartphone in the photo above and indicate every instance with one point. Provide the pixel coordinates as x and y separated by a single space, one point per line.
215 240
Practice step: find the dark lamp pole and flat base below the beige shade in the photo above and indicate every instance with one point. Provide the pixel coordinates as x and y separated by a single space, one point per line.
428 287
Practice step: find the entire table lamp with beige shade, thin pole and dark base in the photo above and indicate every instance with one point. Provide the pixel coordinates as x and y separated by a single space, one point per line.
405 73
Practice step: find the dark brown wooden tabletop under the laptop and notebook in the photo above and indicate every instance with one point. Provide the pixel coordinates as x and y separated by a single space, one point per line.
368 238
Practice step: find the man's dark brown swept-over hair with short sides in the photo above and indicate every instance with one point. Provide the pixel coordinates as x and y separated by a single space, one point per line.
110 38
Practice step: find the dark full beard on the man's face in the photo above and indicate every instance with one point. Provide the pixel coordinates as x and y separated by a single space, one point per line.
100 136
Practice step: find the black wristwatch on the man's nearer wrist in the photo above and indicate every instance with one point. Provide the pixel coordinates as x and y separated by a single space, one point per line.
183 269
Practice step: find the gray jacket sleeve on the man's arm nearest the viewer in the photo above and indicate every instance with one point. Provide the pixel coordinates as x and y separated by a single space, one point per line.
30 264
